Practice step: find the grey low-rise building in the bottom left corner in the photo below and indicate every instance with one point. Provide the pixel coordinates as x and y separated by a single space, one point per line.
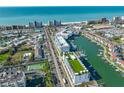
11 77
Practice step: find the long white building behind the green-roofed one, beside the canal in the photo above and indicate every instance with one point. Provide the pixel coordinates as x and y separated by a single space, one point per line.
61 44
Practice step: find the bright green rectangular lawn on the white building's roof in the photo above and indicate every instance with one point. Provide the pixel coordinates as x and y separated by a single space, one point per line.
76 66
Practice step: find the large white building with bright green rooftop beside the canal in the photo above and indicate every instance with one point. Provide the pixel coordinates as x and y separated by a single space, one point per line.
79 75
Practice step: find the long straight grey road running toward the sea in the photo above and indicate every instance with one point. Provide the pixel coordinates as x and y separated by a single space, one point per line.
54 58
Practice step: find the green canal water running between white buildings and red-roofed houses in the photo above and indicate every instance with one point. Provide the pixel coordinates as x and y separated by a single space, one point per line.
108 75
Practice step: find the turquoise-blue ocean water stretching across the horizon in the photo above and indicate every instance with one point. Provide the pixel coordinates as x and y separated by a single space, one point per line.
22 15
